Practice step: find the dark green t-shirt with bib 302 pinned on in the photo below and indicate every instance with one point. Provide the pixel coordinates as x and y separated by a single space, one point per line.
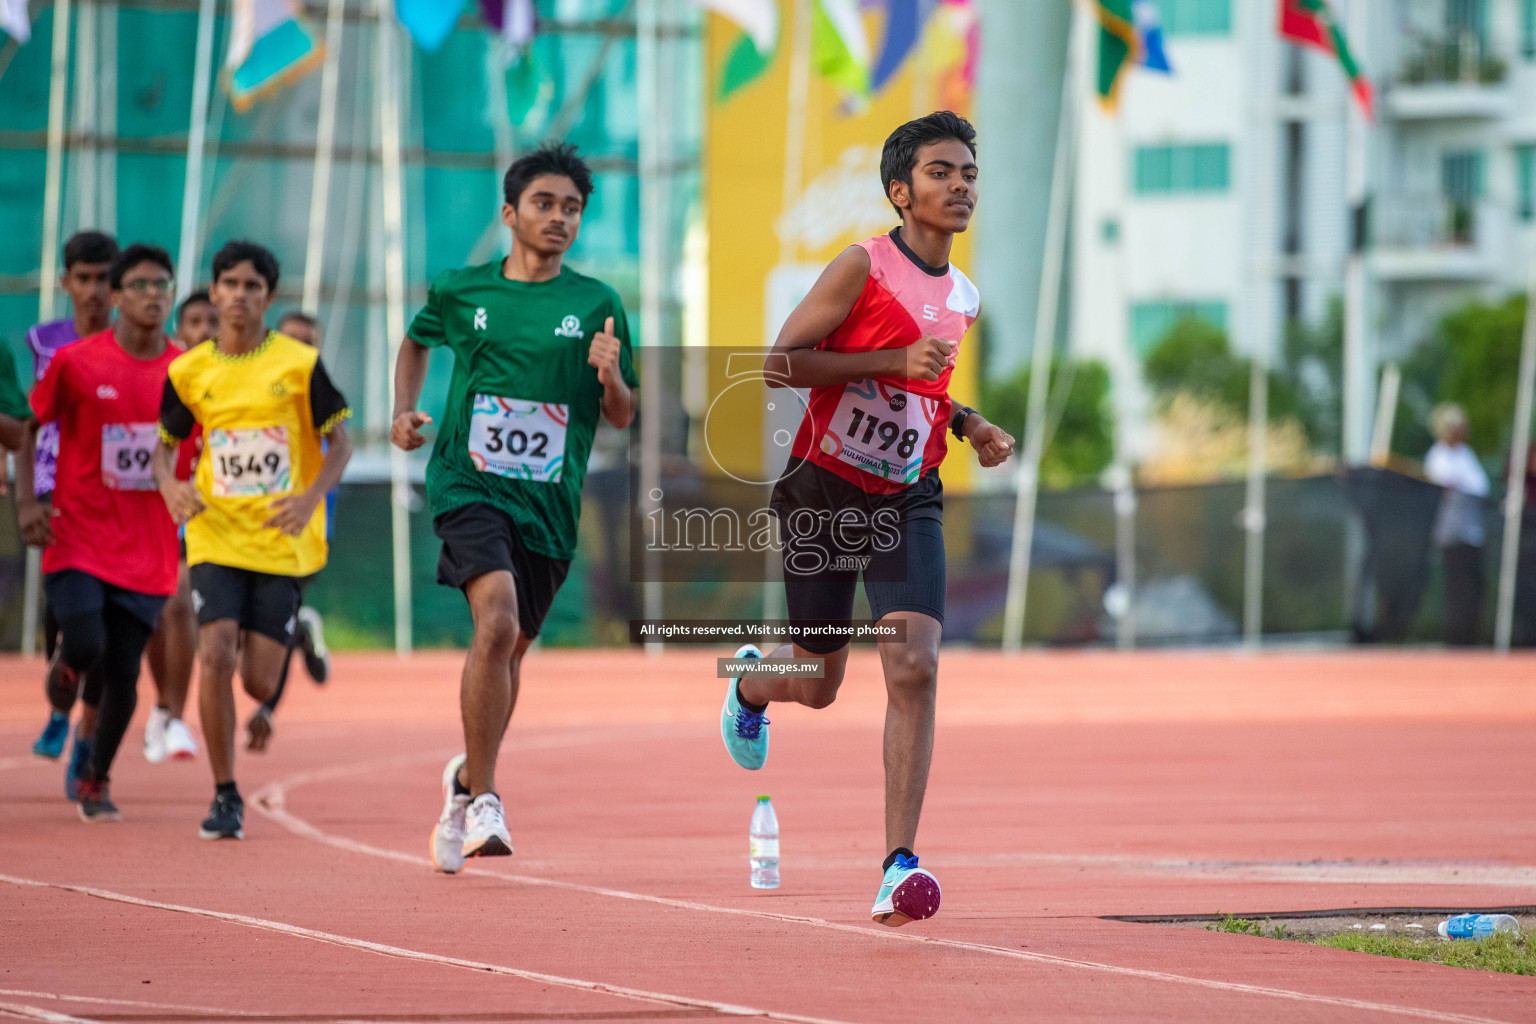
520 382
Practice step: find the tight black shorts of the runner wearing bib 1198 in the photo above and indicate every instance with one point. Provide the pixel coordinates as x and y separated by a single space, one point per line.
905 572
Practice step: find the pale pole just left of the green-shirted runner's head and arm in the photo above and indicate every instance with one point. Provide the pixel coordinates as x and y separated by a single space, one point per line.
396 308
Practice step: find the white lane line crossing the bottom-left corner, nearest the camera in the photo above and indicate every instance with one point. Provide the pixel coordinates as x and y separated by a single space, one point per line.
664 999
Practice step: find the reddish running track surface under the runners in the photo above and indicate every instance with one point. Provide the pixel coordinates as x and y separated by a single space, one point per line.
1067 787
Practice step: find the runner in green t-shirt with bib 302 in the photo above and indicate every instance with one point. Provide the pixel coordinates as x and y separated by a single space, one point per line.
541 352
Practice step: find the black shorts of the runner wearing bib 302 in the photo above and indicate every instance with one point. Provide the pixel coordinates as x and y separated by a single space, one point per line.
480 540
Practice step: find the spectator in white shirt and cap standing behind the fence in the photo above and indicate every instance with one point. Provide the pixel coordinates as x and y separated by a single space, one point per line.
1458 524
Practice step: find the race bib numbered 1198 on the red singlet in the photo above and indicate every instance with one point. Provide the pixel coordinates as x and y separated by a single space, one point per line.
879 429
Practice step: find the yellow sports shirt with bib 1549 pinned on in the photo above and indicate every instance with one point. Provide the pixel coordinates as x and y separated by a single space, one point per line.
254 411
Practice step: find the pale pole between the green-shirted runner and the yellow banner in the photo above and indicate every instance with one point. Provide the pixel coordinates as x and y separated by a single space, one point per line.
652 226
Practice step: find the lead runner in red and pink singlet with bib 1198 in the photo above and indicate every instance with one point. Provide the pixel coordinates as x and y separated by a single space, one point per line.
876 342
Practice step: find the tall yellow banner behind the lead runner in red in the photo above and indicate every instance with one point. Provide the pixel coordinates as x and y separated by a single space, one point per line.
792 176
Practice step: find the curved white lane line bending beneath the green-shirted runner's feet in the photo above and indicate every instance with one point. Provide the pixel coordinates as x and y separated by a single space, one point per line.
273 804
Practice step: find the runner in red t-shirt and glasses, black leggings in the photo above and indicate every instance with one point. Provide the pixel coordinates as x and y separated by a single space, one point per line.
110 547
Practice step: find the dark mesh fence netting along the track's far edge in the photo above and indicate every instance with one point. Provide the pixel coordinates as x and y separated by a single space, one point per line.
1346 558
